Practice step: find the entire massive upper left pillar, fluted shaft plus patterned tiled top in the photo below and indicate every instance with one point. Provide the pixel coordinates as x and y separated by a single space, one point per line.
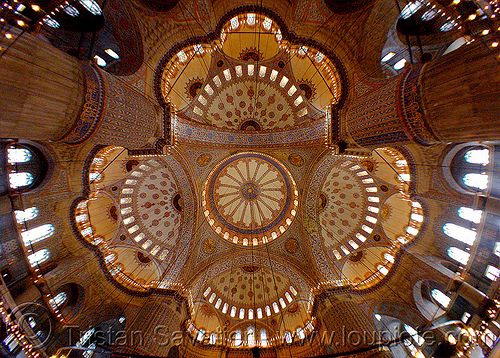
49 95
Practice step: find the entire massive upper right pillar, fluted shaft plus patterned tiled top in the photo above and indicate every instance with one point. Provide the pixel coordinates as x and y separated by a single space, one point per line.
452 99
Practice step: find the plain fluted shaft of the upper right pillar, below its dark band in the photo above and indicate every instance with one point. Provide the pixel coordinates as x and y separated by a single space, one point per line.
460 94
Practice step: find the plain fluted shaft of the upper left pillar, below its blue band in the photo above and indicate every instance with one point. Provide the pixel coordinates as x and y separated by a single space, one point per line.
42 90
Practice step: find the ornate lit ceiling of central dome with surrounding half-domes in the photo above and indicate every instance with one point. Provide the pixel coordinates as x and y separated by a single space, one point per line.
257 223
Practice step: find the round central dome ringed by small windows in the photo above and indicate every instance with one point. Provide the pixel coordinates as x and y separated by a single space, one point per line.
250 199
